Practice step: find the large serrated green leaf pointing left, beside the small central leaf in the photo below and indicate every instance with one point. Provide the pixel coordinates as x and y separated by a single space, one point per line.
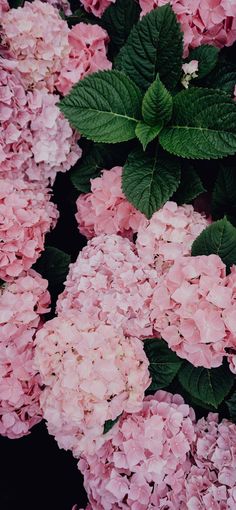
105 107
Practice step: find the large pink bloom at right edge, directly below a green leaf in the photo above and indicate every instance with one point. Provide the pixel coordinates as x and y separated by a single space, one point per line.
193 309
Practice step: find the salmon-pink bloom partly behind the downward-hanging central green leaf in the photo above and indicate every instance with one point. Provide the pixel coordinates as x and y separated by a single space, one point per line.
106 210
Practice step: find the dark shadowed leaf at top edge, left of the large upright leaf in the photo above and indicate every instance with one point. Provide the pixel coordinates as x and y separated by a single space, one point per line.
119 19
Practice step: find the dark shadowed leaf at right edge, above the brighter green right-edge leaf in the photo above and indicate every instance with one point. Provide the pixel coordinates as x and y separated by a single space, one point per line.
224 193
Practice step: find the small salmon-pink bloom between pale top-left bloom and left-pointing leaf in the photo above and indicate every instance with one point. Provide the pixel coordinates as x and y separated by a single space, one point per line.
88 47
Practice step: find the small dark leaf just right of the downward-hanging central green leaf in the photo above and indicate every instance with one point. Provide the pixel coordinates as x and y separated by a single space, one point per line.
190 186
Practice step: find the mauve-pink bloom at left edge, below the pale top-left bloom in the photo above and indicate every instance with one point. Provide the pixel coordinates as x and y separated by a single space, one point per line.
36 141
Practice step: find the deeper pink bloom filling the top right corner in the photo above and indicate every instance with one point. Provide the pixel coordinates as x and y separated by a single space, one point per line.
202 21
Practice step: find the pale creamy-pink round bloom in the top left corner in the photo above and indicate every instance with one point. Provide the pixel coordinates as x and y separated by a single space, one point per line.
36 37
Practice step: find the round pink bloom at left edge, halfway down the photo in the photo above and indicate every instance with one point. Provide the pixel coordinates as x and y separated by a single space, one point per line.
26 215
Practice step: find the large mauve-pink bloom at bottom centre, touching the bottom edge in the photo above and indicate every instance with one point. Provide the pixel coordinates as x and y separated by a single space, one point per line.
145 457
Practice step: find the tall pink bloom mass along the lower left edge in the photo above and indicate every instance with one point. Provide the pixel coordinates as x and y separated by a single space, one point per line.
21 305
